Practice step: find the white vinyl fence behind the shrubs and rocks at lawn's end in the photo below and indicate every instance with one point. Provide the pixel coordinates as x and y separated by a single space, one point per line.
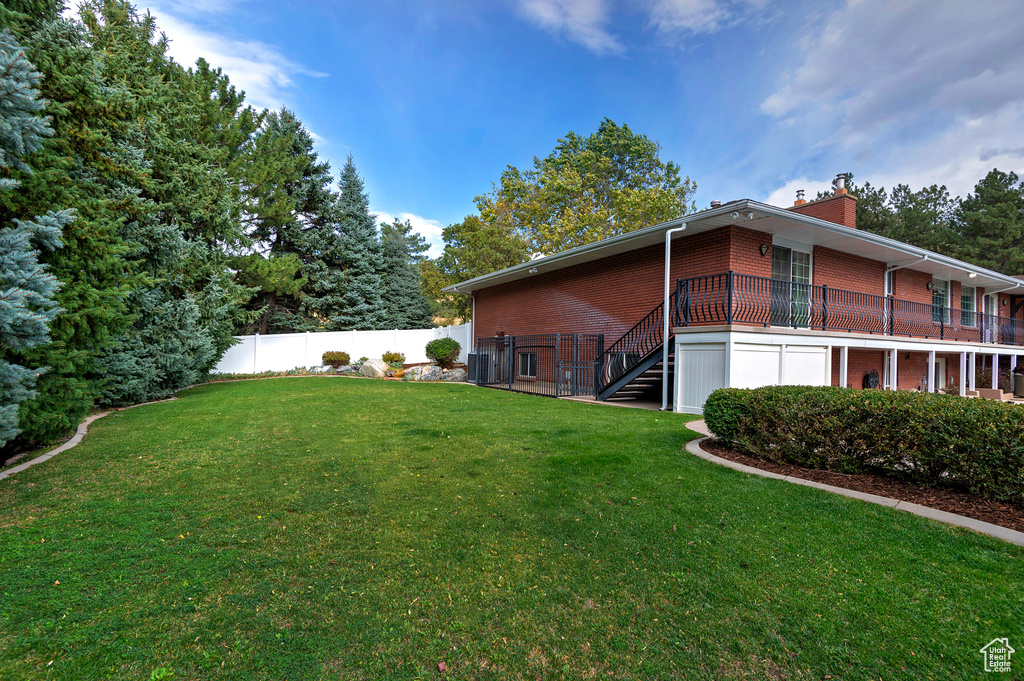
279 353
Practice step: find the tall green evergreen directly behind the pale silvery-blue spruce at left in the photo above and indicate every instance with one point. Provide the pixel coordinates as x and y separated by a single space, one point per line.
90 165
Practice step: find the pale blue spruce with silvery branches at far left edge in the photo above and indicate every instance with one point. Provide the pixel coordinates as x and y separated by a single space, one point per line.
27 306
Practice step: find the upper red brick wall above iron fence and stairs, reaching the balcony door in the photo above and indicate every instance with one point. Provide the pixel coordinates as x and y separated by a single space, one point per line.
611 295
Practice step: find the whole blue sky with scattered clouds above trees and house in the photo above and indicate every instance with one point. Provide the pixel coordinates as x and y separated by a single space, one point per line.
754 99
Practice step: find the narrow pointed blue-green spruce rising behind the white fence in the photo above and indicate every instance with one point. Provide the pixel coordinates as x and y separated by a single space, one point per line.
364 307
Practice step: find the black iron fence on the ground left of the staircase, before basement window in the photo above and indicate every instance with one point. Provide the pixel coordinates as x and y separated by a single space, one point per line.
552 365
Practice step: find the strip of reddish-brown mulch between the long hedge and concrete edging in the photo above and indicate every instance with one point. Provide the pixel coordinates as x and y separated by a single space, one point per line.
961 503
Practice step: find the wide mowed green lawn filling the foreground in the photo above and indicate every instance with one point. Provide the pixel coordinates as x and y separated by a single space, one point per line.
332 528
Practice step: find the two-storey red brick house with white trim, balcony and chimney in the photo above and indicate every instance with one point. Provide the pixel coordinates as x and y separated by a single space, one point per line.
758 295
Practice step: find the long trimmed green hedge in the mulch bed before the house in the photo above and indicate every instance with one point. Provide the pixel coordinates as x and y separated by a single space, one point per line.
935 440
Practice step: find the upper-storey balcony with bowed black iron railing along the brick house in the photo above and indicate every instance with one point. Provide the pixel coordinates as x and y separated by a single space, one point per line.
743 300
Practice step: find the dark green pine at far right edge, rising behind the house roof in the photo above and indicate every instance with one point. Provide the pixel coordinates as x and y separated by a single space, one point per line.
993 224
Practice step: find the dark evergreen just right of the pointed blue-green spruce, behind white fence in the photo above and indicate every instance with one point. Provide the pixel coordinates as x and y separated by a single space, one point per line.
404 300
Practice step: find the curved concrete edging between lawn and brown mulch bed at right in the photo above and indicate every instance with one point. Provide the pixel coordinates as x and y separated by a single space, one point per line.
1007 535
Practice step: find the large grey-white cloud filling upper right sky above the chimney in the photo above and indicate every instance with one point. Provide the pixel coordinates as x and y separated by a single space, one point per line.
913 92
